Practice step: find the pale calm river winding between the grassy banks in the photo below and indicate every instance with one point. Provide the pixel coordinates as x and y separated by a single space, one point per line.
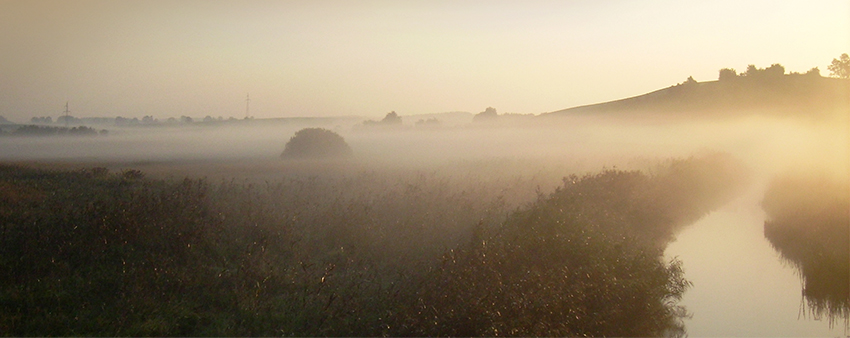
741 285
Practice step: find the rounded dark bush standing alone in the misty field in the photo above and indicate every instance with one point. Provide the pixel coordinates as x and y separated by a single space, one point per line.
316 143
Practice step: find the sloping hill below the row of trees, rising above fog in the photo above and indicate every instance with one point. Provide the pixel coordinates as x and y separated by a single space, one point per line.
784 95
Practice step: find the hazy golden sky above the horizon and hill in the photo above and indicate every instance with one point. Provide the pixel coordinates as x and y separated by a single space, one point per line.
322 58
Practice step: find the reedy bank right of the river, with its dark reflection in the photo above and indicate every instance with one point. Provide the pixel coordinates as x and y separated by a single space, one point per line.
808 224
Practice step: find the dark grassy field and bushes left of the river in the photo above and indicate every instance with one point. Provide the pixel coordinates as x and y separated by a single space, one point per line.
93 253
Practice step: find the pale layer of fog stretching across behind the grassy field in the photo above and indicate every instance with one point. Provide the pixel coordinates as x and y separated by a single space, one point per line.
766 145
